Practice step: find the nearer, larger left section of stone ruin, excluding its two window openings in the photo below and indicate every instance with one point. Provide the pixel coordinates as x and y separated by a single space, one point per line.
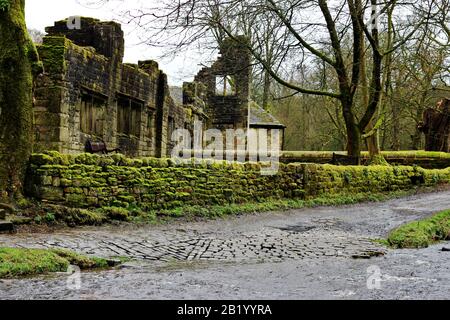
73 70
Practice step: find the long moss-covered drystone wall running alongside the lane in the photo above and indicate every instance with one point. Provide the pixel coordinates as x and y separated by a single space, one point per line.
150 183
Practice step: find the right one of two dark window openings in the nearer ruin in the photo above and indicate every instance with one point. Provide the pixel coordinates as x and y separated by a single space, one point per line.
129 116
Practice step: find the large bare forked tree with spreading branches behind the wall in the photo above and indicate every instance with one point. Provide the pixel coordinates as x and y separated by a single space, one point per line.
308 31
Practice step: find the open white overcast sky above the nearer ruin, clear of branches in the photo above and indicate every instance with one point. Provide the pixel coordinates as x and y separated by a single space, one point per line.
42 13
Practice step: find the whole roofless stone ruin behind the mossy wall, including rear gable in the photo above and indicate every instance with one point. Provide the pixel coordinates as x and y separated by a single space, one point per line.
88 94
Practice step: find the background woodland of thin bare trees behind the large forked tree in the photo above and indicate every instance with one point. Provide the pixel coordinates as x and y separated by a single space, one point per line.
415 77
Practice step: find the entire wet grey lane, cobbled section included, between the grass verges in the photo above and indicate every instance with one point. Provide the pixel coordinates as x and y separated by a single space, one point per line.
320 253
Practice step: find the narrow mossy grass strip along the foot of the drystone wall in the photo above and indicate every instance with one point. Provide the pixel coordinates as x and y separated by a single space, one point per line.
43 216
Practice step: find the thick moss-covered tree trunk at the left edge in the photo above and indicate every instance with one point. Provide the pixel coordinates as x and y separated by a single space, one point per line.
17 58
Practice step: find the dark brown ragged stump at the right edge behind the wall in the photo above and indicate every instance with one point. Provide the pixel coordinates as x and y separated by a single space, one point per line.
436 126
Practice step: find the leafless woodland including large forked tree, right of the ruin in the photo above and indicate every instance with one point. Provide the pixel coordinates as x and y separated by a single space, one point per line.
341 74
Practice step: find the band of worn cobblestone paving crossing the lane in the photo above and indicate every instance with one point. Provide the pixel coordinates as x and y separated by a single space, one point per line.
267 244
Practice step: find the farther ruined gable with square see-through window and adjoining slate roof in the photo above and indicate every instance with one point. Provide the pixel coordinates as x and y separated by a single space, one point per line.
223 90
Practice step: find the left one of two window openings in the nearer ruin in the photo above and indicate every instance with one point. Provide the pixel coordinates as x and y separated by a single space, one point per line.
92 114
